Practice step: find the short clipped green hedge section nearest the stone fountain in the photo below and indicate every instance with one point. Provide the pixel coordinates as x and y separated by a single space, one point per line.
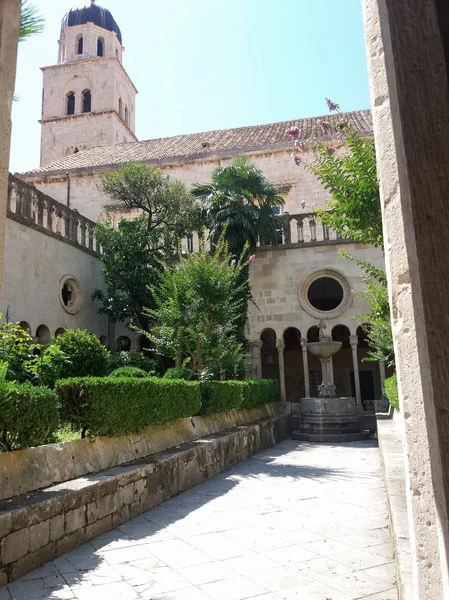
220 396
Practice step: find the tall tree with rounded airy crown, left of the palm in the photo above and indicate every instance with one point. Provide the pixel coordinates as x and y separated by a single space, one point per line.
133 249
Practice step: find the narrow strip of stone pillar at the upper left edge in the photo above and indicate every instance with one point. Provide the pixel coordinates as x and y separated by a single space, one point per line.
9 35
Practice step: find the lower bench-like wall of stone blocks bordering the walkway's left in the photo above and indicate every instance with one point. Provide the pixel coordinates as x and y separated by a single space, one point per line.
38 527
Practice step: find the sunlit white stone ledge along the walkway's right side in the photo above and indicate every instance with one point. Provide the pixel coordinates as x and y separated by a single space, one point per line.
392 458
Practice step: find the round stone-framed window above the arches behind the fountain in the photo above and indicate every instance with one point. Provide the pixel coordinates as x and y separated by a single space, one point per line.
324 293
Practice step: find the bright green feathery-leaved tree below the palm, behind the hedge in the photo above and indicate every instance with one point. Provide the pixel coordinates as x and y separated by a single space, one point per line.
196 306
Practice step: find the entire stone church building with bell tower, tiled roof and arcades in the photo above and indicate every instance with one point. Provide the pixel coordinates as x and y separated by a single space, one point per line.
88 127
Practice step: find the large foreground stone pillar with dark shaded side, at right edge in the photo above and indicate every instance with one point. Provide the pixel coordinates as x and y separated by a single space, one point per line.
408 62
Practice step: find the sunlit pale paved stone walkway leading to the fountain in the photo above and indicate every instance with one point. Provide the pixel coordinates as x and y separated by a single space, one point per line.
297 521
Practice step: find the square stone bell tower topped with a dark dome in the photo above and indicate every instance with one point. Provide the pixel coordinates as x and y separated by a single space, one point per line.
88 99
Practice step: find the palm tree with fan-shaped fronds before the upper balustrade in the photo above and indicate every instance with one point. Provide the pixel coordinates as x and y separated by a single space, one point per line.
239 204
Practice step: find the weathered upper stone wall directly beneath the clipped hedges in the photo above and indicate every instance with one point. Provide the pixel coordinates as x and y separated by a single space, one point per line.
35 468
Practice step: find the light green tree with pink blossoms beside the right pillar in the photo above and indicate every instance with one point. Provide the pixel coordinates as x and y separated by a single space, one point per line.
351 180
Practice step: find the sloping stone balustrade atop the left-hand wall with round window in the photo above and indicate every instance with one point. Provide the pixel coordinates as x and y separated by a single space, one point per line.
32 207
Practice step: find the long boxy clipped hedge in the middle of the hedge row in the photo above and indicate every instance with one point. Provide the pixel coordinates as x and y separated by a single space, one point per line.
120 405
